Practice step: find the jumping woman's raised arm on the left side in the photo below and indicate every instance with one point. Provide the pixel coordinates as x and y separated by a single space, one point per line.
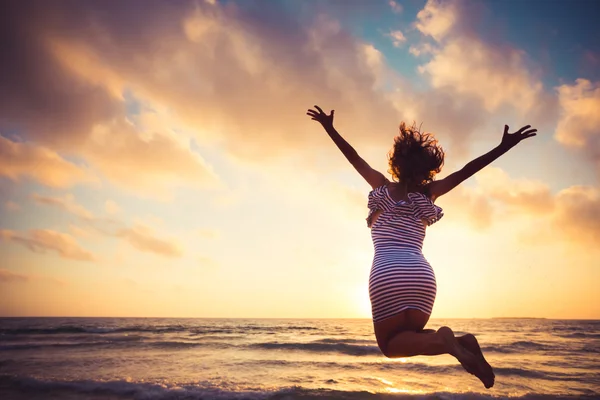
373 177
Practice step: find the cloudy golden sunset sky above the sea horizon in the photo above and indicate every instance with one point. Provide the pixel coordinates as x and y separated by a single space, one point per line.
157 160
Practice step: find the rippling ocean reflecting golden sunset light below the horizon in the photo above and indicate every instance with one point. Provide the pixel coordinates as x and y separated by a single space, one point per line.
142 358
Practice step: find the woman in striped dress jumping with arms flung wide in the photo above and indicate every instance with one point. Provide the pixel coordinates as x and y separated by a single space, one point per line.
402 285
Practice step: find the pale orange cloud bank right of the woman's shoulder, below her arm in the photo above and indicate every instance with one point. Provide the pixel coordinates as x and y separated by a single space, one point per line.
571 215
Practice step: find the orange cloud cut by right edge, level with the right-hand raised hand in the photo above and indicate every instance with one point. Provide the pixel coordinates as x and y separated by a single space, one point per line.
579 123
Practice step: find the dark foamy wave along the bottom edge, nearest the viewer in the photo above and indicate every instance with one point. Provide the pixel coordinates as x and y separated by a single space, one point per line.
23 388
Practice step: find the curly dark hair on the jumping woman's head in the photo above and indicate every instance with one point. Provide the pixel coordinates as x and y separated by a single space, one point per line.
416 156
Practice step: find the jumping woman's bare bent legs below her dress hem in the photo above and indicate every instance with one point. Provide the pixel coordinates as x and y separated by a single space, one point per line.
402 336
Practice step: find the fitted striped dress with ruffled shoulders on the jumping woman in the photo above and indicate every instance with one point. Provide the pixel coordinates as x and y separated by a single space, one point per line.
400 278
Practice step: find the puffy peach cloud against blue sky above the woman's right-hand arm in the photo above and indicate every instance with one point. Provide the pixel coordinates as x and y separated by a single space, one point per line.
495 74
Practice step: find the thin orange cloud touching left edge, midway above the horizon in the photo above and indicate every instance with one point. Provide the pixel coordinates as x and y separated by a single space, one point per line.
45 240
